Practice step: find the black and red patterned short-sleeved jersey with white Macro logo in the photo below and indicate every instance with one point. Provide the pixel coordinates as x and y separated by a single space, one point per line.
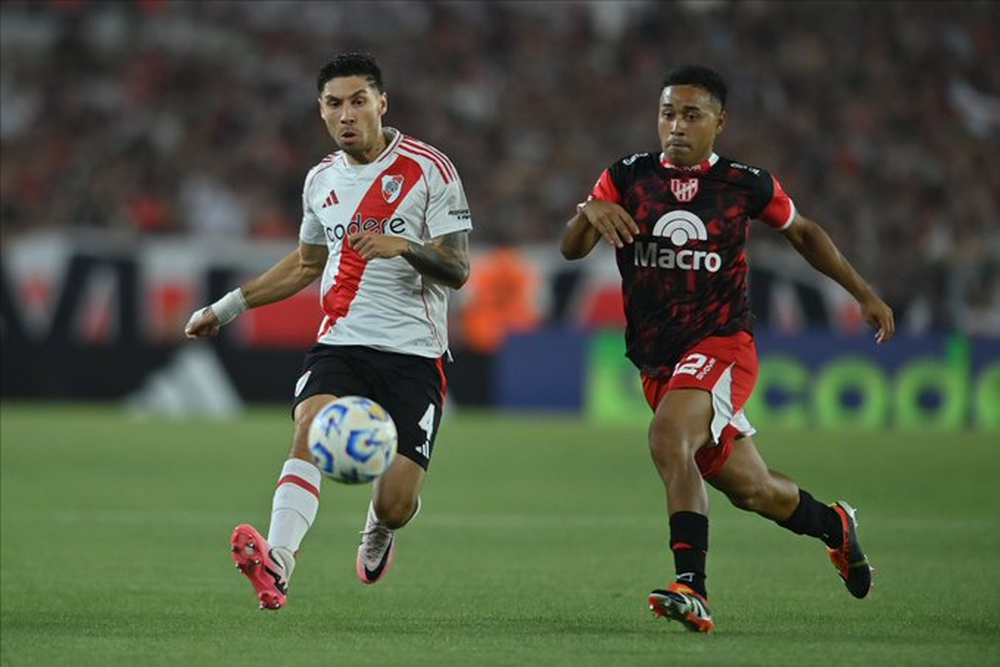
684 277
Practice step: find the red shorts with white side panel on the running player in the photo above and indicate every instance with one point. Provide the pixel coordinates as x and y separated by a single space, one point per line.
725 367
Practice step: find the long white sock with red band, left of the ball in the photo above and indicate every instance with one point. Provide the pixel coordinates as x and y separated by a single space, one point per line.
296 501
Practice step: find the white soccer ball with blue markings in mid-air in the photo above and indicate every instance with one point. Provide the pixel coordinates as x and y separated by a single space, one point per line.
352 440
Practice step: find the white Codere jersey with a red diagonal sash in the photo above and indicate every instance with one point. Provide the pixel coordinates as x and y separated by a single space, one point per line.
411 190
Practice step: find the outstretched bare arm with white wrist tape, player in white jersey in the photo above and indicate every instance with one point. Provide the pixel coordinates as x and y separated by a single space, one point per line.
290 275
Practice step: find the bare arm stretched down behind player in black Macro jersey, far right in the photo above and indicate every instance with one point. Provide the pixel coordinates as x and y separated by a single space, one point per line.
813 243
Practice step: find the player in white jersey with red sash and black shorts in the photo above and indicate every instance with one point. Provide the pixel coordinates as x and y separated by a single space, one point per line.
385 224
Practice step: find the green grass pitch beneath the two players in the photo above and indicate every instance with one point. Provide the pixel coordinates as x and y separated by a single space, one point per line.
539 540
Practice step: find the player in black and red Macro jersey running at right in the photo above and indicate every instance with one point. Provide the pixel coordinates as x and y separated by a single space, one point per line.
678 221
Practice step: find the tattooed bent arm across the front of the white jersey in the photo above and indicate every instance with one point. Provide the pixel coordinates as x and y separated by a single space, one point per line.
444 260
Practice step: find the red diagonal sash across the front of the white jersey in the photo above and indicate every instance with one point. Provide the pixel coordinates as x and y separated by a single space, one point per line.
338 300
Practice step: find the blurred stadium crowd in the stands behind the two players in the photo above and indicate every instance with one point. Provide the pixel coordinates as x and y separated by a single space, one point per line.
881 119
